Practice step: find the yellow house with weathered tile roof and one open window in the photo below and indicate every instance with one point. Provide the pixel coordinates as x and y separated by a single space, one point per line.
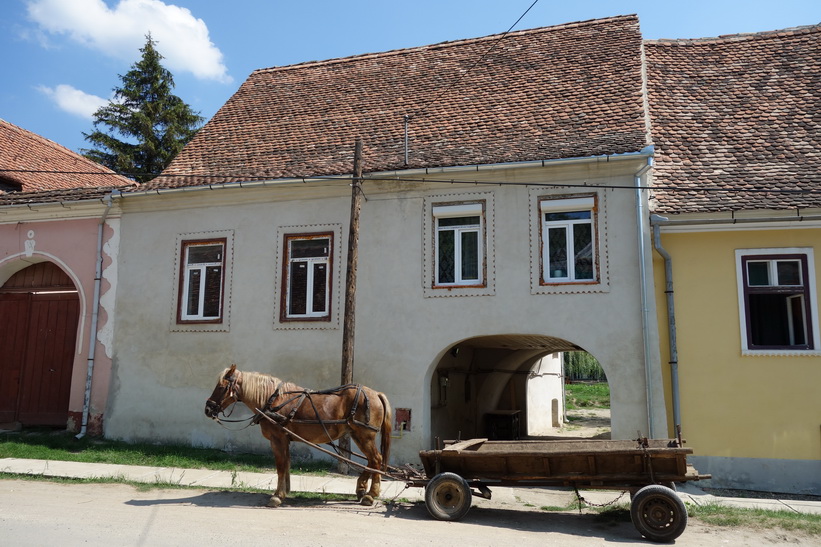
735 122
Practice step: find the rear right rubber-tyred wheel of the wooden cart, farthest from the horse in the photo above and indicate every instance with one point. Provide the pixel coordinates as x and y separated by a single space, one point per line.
658 513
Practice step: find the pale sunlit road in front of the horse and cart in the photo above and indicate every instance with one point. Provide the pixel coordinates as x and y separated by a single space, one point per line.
48 513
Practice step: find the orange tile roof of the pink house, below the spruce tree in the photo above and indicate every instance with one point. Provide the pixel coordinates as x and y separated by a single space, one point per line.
31 163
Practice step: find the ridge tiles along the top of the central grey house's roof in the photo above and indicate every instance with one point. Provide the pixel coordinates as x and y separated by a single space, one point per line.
444 44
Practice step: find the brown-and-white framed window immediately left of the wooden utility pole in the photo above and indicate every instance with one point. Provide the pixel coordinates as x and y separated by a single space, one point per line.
307 277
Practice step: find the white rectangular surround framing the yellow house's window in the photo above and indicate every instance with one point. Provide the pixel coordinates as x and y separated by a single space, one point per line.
742 256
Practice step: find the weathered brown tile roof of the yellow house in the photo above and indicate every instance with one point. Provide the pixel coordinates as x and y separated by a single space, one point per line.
740 113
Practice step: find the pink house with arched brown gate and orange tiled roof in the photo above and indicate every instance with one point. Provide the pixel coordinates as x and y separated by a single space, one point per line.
58 238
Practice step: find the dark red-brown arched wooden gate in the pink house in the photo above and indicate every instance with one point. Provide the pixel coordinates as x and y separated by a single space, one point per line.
39 311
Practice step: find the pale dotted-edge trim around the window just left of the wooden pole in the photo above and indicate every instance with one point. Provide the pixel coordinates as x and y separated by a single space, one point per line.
335 287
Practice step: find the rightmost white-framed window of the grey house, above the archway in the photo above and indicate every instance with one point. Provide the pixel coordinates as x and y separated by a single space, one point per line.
569 243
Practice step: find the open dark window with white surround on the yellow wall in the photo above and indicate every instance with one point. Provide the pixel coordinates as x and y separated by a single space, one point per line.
776 298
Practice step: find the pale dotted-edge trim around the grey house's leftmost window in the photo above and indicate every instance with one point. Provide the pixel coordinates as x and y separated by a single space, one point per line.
206 325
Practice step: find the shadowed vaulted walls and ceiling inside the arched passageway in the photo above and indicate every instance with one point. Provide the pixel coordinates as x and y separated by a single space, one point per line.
480 386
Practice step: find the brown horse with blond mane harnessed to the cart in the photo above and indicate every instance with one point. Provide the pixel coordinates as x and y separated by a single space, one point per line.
316 416
